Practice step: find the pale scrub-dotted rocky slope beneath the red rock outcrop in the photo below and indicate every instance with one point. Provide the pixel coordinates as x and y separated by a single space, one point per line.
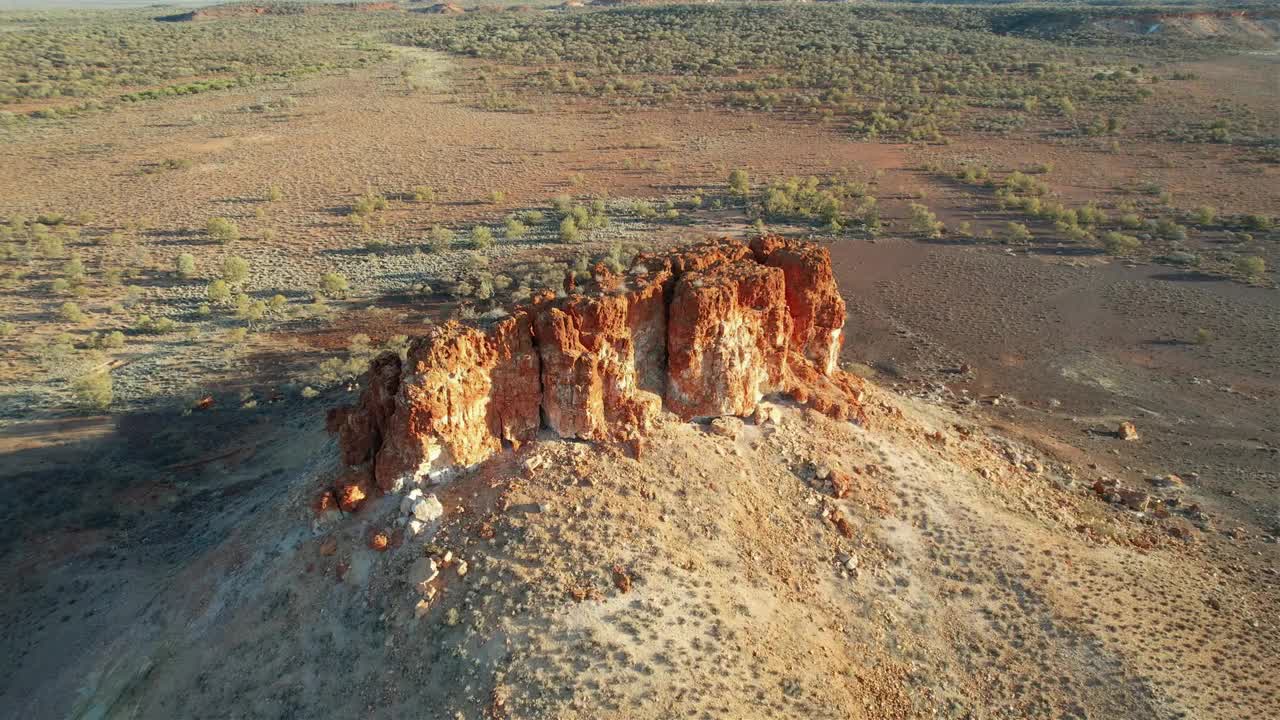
790 566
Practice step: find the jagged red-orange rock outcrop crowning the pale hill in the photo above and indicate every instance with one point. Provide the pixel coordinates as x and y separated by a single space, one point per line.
705 331
